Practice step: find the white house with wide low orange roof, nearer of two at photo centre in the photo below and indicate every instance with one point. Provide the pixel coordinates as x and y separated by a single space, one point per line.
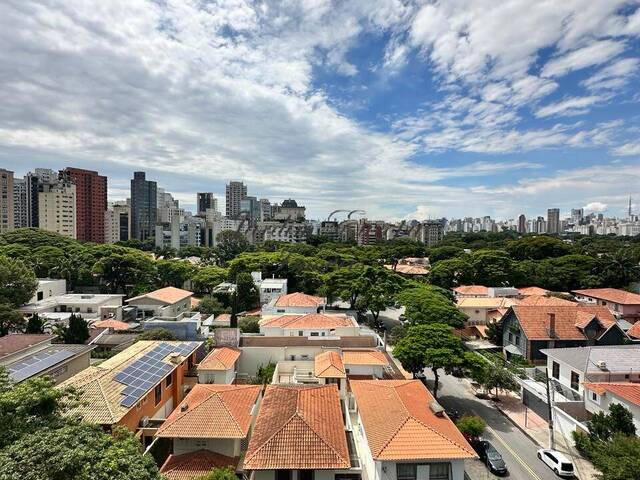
310 325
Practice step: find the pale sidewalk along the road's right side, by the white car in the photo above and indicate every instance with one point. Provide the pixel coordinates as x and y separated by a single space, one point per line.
536 428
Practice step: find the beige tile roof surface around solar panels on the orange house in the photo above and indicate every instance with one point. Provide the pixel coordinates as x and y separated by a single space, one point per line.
100 393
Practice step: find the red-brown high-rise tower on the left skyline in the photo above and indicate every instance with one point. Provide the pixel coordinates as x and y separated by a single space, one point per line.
91 202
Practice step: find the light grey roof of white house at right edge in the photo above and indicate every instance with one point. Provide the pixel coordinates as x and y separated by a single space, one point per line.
618 358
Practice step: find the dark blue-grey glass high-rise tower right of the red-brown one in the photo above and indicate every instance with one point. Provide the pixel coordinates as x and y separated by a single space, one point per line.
144 206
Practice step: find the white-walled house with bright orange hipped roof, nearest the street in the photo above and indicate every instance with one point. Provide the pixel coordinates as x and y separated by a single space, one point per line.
403 434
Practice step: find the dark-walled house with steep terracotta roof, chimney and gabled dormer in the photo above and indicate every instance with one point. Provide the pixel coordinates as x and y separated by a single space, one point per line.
529 329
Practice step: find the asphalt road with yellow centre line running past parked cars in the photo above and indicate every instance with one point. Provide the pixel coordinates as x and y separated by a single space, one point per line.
518 450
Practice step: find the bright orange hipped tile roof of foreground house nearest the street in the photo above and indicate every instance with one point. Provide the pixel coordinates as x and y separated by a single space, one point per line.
399 425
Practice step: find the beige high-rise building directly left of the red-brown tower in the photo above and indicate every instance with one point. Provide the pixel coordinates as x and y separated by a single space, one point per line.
57 208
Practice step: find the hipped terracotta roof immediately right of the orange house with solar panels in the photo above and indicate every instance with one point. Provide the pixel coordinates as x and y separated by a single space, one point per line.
212 411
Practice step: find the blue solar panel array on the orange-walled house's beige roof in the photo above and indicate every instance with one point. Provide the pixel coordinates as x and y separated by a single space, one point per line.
148 370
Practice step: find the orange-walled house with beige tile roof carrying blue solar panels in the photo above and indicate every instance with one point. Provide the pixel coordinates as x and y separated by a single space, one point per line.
144 382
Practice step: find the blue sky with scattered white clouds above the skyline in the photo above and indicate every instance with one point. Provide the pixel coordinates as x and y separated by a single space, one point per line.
404 109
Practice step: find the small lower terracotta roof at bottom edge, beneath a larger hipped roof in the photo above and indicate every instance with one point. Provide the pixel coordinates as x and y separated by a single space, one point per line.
194 464
